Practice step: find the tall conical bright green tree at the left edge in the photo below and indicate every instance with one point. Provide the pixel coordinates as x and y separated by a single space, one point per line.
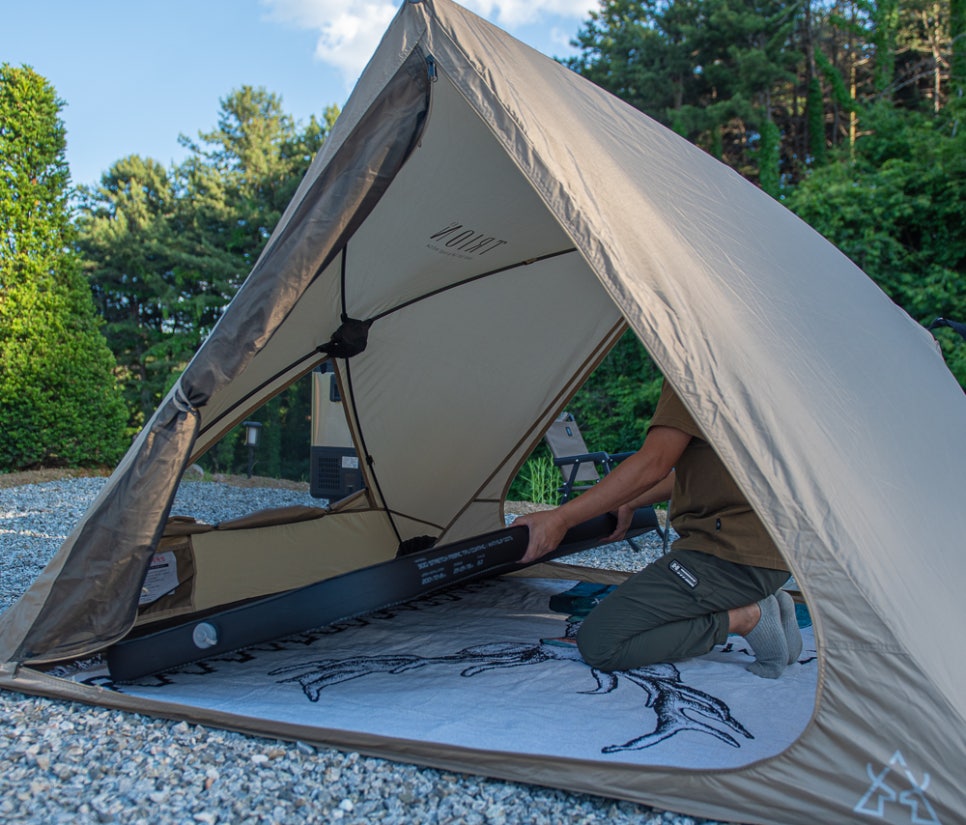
59 403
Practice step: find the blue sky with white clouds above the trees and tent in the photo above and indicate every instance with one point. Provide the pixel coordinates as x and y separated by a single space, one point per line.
135 74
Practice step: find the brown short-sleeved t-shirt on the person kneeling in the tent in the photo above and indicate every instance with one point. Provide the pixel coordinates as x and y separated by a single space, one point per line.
708 509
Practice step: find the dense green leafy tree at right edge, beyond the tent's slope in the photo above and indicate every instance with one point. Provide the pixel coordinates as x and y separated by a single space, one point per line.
897 205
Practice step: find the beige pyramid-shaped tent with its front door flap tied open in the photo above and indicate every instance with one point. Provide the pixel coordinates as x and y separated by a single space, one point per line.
491 222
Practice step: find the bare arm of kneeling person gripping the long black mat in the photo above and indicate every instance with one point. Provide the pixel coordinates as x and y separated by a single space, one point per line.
642 478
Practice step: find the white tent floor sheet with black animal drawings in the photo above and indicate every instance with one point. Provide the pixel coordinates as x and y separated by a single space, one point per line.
480 667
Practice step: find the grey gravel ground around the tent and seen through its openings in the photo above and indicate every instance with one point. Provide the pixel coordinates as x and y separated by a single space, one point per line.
66 762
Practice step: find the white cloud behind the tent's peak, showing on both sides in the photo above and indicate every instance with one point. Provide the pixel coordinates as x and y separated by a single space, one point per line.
350 32
